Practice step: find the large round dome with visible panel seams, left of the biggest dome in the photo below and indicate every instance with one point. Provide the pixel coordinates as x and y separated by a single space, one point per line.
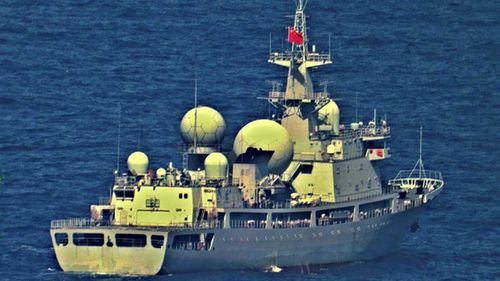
207 128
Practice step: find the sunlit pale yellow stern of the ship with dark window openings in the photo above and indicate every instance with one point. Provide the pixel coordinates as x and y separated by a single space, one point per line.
95 250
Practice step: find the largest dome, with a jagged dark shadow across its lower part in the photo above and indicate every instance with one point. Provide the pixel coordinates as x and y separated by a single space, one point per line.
266 135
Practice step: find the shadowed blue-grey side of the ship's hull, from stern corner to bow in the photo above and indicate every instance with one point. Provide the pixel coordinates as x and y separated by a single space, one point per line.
293 247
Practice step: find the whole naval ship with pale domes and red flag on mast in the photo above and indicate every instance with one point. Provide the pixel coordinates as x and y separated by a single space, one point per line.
298 189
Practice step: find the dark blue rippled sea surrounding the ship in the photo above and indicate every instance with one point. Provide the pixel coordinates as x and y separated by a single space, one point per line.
67 67
